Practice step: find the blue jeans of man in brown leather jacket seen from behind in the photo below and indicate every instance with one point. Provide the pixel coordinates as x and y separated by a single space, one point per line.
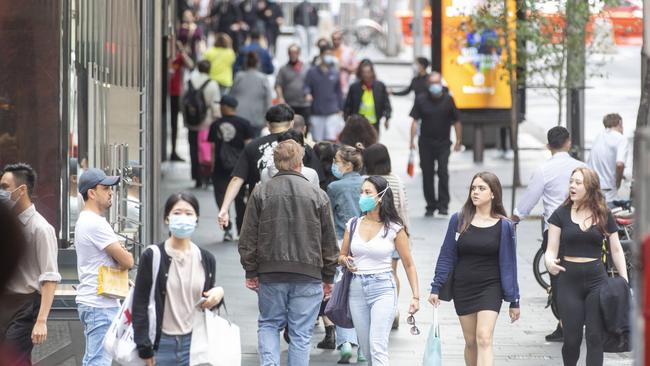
282 303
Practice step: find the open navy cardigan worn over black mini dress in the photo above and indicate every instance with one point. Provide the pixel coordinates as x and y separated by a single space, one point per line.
507 260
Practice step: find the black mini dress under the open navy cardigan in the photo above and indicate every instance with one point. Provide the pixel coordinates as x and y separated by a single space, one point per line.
477 277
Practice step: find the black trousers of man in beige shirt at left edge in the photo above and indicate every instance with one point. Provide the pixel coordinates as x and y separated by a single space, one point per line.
17 320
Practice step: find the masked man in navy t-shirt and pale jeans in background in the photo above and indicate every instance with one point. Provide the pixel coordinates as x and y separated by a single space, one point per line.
323 88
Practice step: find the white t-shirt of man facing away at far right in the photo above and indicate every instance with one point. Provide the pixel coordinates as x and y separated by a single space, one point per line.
609 147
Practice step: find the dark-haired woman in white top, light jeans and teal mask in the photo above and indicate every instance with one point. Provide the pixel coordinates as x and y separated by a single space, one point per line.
368 254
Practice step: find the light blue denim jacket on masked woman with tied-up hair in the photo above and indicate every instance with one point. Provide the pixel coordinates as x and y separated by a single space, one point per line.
344 199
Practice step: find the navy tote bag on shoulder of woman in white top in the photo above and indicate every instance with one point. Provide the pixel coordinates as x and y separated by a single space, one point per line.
338 306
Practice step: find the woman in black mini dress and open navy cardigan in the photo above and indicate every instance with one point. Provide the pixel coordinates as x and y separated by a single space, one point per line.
477 267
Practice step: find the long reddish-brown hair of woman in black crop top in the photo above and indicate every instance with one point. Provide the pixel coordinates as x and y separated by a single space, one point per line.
594 199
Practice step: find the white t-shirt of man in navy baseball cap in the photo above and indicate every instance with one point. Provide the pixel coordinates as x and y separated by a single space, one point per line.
92 235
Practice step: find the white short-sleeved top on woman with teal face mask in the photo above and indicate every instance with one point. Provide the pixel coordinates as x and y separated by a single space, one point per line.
375 255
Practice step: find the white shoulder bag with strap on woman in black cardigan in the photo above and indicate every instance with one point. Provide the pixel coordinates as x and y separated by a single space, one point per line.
119 341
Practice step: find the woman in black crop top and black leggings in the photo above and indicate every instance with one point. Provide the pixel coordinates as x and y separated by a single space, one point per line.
577 230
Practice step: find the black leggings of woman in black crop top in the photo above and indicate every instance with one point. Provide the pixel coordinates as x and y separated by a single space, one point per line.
579 306
